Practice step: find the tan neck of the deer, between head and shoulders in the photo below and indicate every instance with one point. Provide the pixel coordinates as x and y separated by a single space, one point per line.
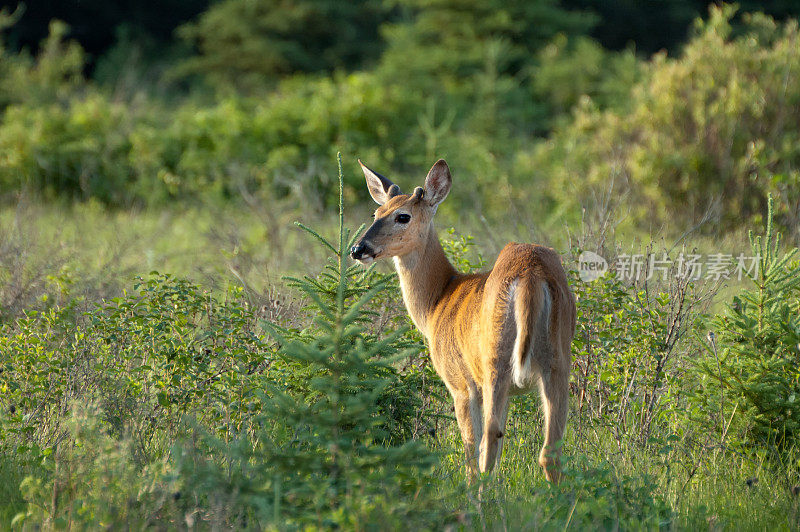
424 274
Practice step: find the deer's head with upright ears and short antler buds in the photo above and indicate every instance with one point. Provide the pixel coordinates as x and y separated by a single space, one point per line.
402 221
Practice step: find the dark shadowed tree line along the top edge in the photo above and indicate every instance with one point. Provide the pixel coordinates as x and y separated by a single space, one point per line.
287 36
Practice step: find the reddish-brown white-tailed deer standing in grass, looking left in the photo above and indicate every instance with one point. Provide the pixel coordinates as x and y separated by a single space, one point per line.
490 334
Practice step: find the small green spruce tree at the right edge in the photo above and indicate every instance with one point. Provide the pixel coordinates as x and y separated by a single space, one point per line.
750 376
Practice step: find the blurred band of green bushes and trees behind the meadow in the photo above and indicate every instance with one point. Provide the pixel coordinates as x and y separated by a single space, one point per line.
650 129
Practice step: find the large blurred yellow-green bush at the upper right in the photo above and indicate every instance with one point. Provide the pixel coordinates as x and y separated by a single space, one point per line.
714 128
